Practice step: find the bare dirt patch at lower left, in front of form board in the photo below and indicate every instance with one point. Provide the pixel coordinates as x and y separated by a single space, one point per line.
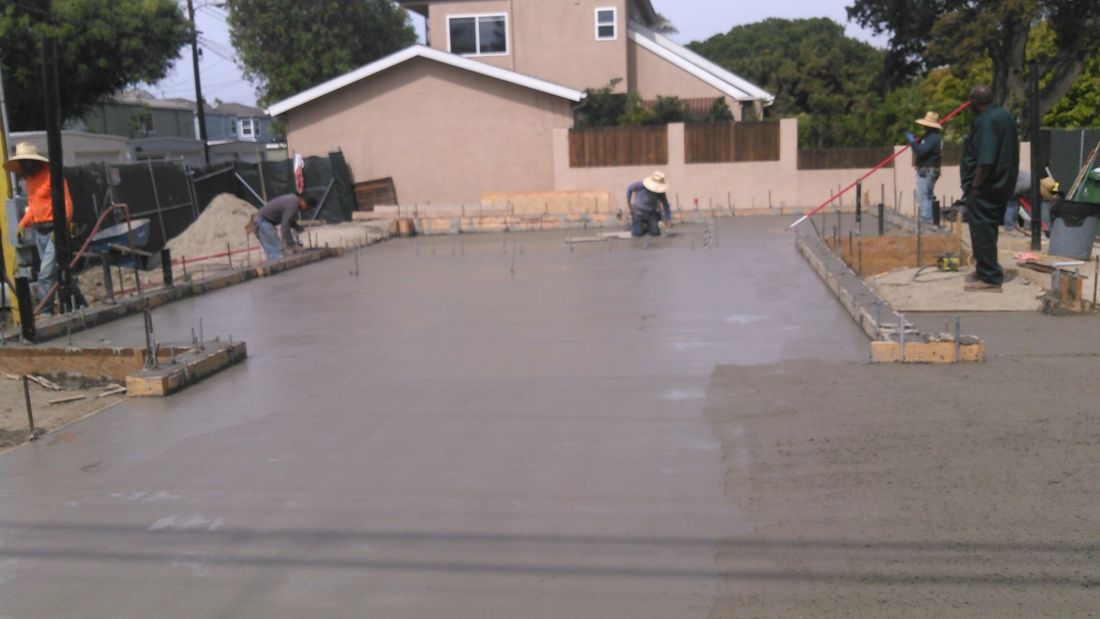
15 428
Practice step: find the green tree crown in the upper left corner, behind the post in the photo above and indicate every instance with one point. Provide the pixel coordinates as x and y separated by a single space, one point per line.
103 48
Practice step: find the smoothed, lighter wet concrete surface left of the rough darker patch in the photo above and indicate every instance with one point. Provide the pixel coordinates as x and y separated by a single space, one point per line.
485 426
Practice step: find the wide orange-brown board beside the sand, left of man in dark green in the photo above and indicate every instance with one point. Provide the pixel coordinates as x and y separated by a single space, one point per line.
868 256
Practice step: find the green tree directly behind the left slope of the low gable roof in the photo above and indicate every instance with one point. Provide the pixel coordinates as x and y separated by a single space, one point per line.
288 47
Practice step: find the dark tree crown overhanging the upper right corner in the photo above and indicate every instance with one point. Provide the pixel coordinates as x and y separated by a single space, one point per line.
933 34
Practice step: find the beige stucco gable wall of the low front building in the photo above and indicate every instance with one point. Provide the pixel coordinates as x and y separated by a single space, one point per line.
443 134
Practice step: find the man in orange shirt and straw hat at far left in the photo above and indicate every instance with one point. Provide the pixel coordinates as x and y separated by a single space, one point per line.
35 171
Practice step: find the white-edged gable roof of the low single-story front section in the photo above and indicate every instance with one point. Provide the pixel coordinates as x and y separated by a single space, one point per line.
421 52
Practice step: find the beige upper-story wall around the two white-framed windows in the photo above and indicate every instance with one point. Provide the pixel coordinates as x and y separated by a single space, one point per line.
552 40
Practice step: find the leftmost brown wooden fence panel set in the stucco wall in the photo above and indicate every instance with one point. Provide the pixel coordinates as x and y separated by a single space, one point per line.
619 147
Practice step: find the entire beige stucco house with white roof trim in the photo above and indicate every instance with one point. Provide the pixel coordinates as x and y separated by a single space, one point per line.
477 109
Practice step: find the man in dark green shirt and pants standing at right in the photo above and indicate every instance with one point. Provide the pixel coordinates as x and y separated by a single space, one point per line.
988 171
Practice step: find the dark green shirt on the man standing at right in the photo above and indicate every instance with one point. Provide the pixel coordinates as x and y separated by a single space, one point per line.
993 142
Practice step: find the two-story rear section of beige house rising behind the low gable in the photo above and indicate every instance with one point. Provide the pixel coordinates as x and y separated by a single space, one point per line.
591 43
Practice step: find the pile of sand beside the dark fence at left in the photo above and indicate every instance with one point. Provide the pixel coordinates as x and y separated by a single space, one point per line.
221 225
